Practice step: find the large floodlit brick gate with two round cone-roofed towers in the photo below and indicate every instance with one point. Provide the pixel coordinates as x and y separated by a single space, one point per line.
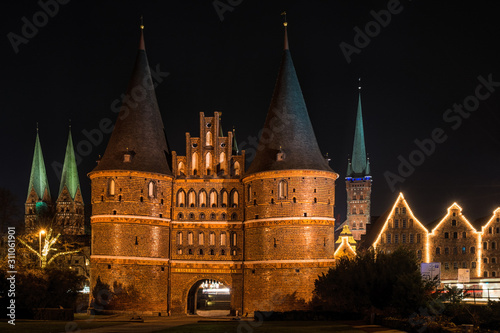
264 233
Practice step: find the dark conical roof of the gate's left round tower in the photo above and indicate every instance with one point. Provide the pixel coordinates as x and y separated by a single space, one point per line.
139 127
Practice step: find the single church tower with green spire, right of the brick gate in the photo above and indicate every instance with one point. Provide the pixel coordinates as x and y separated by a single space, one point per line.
358 181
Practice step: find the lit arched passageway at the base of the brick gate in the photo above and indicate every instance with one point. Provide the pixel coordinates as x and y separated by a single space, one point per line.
209 297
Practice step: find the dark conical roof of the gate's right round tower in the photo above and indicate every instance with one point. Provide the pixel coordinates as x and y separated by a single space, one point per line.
288 140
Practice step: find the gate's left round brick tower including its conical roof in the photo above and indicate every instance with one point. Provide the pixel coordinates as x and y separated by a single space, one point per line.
131 197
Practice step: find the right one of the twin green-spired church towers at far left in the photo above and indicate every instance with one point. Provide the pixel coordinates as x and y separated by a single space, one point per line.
69 204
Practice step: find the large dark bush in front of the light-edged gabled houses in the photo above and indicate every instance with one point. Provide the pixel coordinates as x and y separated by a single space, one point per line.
374 280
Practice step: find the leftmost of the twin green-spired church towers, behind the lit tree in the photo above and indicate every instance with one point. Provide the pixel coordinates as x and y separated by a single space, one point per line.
38 201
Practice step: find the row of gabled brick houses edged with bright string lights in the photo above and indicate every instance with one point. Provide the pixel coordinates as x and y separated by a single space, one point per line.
453 241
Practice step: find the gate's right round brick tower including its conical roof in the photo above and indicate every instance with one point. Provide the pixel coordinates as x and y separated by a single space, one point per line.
290 196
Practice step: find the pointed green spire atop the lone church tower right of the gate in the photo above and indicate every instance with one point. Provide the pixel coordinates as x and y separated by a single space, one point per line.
359 165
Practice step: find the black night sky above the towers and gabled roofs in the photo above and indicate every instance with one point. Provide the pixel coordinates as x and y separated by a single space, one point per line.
425 60
